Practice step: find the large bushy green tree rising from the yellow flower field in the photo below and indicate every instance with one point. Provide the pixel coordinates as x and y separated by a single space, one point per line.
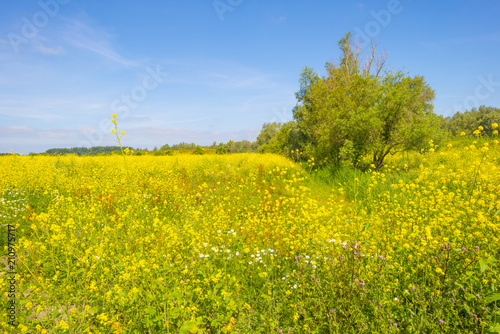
359 109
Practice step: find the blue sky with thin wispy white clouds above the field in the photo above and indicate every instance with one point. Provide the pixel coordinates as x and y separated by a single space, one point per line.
203 71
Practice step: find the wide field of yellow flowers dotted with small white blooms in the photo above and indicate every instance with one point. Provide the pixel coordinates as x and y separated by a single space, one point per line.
251 243
